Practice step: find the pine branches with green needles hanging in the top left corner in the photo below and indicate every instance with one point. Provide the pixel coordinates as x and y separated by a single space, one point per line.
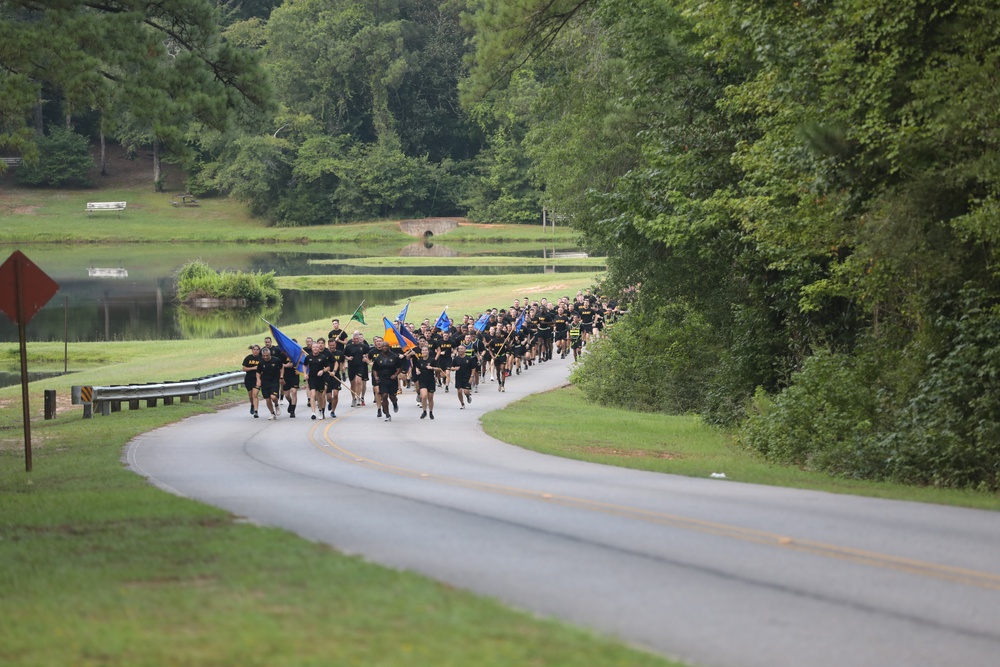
163 62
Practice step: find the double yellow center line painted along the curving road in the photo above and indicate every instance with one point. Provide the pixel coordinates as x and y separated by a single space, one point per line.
949 573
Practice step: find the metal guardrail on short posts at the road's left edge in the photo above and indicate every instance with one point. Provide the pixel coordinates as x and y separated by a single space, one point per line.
110 399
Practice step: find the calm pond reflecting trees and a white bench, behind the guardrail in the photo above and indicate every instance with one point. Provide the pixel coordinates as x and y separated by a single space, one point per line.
126 292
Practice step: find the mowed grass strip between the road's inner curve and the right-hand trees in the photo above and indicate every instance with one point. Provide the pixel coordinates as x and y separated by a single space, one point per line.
563 423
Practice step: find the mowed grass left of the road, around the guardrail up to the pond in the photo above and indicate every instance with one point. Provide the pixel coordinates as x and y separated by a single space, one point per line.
102 568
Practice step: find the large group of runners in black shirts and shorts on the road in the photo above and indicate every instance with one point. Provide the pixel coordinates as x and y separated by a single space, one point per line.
488 347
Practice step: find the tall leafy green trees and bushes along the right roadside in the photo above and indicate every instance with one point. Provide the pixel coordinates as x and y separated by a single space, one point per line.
802 197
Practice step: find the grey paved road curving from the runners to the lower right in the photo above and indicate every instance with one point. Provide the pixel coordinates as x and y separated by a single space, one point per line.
710 571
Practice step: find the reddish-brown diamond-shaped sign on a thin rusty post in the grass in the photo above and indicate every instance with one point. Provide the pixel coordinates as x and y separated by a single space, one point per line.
24 289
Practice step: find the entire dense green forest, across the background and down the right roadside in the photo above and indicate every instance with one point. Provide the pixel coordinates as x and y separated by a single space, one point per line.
799 200
